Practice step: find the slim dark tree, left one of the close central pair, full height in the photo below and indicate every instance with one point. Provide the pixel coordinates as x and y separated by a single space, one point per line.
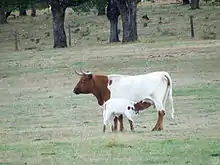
112 15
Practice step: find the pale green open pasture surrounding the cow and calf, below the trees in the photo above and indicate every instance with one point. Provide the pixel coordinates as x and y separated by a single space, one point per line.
42 122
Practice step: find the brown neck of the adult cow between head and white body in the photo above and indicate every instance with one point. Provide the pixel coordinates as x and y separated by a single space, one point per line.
101 92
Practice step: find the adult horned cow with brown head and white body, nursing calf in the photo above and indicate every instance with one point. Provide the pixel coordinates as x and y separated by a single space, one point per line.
156 86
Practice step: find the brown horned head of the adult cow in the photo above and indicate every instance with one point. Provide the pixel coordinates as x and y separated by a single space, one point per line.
85 84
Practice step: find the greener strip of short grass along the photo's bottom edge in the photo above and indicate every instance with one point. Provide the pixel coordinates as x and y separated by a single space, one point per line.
98 151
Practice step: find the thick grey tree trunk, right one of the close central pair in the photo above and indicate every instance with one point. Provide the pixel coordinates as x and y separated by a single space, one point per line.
128 10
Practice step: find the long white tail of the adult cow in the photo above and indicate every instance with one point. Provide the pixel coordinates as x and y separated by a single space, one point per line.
169 93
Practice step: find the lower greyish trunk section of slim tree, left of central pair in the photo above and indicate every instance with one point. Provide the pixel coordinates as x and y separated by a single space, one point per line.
114 31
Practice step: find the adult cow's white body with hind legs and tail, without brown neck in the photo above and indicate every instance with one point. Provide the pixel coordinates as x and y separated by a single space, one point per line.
156 86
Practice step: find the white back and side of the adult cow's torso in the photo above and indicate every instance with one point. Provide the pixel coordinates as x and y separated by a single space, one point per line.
136 87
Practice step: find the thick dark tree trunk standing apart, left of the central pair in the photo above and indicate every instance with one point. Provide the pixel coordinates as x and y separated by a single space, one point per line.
58 26
